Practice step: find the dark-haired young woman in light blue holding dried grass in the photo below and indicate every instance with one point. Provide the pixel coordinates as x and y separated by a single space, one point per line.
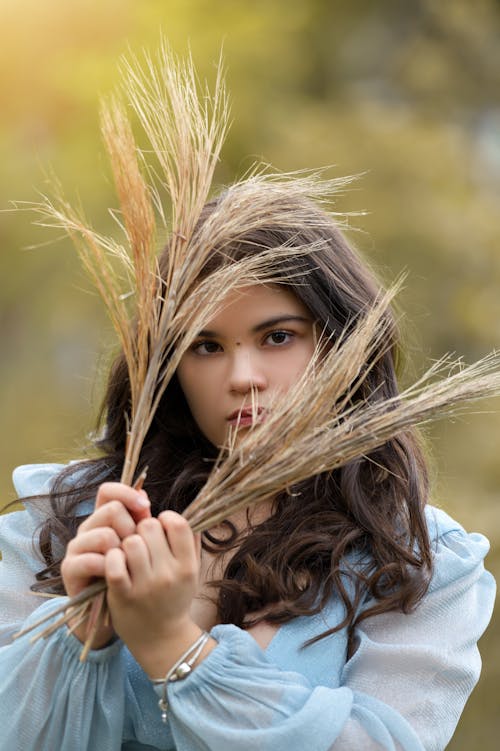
343 614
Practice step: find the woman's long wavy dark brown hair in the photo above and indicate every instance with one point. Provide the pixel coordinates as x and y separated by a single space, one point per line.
358 533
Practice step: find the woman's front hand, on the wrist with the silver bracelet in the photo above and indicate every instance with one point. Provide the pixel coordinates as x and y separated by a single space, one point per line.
152 580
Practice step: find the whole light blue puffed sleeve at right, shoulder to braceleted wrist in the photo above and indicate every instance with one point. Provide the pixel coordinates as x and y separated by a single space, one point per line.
404 688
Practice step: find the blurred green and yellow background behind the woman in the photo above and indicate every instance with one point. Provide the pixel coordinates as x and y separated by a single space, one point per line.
405 92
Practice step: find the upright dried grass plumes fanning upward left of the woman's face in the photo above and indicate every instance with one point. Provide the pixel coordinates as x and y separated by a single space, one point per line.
186 131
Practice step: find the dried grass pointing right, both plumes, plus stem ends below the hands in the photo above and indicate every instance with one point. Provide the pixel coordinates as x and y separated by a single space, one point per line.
266 463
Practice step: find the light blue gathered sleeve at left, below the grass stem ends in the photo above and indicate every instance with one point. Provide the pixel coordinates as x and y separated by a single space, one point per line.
49 699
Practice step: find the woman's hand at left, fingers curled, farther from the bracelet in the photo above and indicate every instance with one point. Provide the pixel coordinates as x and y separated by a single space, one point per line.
118 510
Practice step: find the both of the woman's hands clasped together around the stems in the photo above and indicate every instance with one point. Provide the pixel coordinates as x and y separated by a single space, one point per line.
151 567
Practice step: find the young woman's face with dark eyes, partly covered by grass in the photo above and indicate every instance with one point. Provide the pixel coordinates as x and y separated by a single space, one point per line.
261 341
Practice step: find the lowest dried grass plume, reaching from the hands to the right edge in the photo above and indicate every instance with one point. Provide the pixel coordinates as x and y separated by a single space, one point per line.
253 473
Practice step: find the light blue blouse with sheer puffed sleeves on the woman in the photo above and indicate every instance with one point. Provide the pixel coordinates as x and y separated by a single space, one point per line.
404 687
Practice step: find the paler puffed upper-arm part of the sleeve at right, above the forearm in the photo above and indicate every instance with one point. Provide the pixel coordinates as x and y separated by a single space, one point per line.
425 665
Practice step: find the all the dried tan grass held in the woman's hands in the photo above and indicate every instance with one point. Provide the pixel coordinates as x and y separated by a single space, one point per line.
317 426
